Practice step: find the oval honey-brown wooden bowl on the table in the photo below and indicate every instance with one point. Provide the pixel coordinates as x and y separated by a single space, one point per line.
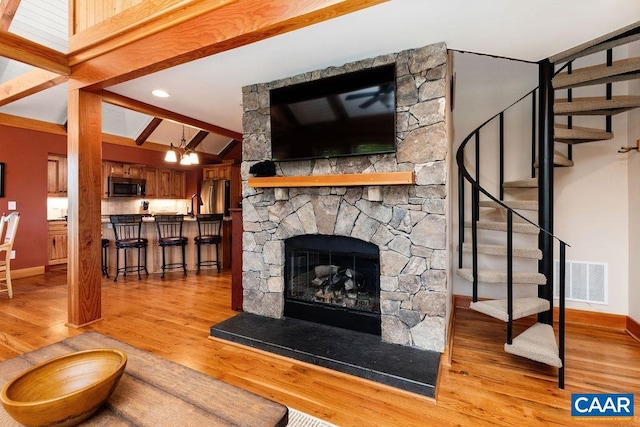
66 390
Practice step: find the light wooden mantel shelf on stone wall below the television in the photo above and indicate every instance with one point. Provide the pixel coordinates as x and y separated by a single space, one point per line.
342 180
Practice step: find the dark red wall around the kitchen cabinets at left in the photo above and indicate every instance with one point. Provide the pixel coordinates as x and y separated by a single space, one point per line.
24 153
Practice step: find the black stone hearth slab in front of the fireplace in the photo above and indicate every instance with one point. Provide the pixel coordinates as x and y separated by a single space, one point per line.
351 352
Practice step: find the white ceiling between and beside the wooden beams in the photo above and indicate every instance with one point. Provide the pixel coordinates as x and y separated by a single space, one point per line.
210 89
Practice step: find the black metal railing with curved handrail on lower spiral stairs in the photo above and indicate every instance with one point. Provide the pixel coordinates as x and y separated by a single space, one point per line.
476 188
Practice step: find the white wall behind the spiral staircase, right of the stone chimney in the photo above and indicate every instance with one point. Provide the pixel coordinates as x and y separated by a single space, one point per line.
592 199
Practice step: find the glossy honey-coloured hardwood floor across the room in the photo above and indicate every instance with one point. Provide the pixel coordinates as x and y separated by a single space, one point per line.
482 386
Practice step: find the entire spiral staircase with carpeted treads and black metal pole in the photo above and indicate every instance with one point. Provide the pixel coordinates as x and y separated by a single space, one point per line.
511 224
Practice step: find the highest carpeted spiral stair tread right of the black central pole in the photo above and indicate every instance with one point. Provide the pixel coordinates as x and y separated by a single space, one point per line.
625 69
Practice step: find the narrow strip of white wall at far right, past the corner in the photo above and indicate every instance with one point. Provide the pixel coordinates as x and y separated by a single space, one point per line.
634 200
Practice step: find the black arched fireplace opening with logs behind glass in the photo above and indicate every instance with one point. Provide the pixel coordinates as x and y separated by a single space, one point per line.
333 280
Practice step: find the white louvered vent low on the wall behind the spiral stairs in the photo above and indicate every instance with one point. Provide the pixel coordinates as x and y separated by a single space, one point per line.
584 281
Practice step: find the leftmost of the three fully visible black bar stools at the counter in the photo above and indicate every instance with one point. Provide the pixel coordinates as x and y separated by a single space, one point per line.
127 229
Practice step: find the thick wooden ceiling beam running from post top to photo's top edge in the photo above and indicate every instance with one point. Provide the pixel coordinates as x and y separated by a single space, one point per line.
232 25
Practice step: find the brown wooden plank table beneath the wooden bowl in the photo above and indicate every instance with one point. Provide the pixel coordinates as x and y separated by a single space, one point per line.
157 392
